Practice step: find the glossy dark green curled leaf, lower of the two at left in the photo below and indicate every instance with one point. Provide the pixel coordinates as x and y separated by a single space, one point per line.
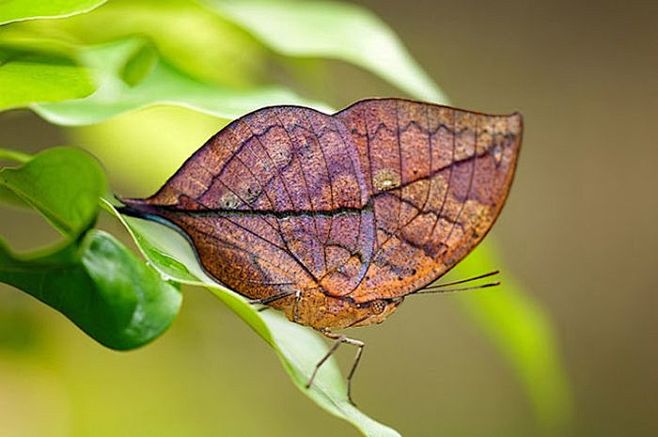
100 286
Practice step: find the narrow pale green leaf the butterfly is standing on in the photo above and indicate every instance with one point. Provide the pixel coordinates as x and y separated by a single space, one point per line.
298 347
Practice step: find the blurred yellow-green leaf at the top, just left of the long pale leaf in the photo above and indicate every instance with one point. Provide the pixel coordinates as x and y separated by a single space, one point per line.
198 42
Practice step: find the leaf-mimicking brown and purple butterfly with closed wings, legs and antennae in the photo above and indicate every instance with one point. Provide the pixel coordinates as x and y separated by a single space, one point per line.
334 219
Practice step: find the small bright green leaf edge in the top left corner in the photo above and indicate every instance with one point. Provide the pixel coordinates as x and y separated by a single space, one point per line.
20 10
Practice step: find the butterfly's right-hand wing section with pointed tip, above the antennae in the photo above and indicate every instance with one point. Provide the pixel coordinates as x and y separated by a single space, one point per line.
438 178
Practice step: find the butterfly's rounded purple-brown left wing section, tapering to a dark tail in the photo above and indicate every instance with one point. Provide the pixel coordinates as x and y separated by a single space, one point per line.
274 202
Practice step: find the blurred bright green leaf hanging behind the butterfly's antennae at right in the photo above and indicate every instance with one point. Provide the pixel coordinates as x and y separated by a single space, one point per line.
522 332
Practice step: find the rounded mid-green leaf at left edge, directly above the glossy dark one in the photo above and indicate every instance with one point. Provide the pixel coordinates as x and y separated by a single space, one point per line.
62 183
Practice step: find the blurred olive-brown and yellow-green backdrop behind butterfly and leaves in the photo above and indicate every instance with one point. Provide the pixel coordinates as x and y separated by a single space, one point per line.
579 234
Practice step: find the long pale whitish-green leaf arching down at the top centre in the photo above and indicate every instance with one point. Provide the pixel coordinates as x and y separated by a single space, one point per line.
333 30
